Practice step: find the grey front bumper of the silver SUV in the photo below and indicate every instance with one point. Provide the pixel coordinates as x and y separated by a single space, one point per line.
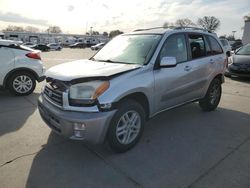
62 122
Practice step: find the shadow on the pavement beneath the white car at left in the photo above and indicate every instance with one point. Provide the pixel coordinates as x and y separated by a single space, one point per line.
15 110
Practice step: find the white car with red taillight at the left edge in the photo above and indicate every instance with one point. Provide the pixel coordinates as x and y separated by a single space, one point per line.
20 67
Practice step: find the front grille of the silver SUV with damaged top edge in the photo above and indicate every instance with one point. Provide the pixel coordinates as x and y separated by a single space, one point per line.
54 91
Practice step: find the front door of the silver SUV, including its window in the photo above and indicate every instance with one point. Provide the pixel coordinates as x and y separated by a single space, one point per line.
172 84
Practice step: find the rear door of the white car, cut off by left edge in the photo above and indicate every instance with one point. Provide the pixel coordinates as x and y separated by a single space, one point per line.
6 62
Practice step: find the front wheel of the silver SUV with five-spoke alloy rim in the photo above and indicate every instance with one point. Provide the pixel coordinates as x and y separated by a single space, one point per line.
126 126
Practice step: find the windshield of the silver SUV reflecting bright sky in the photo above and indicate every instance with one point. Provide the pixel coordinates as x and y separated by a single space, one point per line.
129 49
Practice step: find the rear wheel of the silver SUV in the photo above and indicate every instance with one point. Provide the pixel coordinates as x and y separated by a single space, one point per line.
213 95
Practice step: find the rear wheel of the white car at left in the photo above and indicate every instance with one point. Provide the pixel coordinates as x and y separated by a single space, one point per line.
22 83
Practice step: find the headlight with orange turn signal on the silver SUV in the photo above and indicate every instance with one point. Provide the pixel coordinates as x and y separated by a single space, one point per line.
87 92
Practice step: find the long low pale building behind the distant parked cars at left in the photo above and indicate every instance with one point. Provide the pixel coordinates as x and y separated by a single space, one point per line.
46 38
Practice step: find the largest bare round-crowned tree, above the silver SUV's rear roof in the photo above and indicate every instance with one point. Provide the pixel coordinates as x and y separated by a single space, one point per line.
210 23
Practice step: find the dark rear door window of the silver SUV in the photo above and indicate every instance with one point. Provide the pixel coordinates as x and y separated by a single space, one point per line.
197 46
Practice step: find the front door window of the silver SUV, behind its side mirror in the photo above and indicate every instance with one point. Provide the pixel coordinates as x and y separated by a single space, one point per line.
175 46
